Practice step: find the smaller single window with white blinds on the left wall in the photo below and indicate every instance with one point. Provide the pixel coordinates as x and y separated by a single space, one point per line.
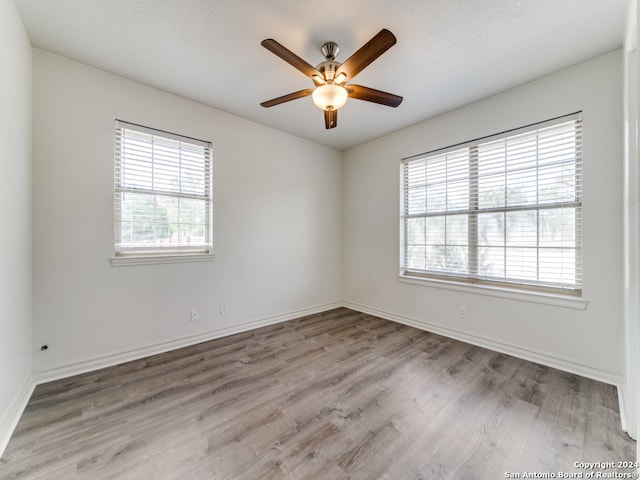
163 195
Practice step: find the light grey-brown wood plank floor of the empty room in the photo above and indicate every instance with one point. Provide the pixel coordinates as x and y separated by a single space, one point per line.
338 395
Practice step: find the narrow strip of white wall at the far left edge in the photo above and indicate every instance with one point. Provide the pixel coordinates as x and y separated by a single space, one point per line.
15 218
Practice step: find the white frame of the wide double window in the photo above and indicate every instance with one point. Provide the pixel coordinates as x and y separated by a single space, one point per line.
472 279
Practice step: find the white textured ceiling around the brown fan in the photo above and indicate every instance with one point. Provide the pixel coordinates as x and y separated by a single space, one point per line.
449 52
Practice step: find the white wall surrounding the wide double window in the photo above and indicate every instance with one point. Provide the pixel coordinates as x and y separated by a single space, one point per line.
586 341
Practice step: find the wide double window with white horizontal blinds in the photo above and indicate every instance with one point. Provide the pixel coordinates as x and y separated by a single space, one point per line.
504 210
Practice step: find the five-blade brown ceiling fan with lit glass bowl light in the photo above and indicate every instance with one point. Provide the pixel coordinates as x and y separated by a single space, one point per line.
331 78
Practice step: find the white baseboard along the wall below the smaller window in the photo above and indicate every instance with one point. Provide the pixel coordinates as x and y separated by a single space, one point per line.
96 363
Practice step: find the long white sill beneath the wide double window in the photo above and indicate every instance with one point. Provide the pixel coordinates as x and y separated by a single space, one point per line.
502 292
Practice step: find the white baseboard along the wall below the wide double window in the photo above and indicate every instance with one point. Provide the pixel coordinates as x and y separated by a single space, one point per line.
530 355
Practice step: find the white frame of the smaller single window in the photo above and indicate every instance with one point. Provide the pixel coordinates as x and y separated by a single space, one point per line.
150 254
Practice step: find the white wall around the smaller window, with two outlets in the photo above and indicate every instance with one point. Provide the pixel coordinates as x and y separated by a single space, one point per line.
277 225
